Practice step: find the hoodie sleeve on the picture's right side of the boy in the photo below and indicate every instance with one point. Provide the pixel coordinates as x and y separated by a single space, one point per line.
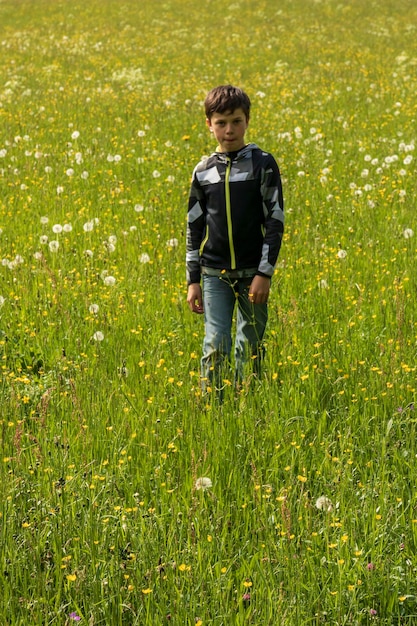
273 208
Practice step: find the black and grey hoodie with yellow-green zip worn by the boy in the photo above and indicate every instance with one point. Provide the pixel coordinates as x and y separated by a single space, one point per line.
235 213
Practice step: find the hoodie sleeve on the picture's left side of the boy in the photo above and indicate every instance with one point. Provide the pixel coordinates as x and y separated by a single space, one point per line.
196 227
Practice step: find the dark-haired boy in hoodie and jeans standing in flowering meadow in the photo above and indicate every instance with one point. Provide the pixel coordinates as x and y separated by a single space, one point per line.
234 233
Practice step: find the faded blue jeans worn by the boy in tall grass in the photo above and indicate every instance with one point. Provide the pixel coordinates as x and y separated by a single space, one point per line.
221 293
